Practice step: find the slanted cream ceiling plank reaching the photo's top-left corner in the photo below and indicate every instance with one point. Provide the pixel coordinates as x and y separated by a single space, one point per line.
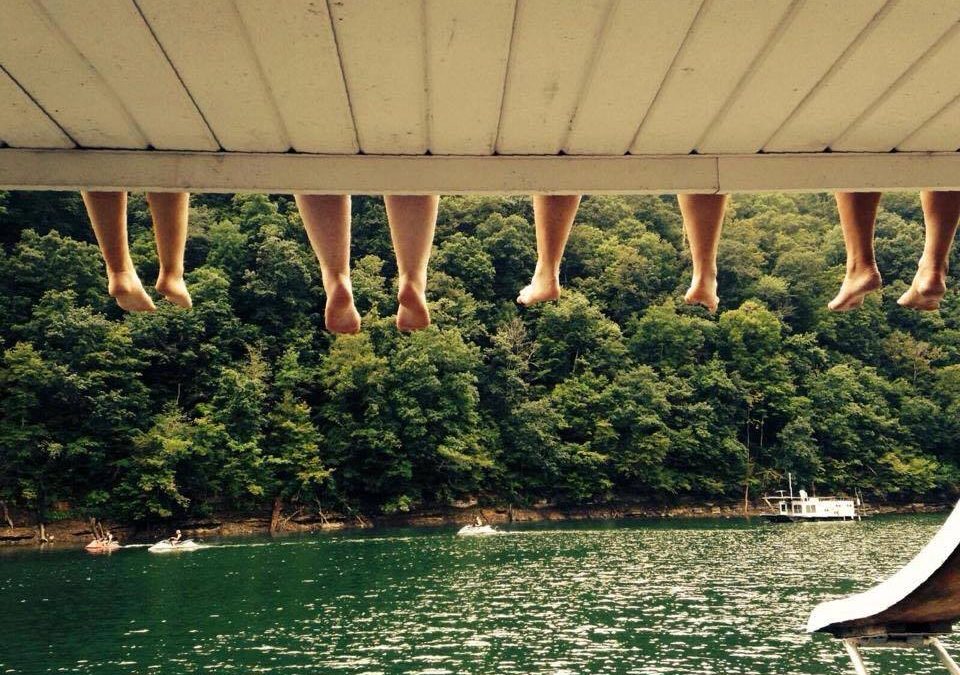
35 52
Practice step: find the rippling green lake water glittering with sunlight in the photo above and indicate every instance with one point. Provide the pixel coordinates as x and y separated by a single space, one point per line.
677 596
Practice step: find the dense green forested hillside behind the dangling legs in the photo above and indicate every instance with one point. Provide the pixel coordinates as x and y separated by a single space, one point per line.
615 392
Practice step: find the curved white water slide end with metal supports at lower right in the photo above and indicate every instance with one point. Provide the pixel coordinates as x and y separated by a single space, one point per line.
910 609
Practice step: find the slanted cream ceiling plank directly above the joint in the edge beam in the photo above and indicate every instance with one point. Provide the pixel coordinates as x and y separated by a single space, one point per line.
818 33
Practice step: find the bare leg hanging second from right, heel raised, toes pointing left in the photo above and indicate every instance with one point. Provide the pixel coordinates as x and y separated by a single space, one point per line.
858 215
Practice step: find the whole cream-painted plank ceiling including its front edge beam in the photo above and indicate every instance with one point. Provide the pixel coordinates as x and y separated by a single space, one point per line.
658 94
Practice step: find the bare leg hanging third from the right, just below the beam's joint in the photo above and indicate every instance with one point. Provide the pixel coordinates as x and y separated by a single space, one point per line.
703 221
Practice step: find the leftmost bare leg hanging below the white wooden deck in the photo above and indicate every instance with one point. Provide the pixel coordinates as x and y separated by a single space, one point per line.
108 215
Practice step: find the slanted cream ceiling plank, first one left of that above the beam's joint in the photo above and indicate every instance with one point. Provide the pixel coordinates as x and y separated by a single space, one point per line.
723 43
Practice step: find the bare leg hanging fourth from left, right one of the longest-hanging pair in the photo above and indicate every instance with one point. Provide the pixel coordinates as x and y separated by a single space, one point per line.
412 222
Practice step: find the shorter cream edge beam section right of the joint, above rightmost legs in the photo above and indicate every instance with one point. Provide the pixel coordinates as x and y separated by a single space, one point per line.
814 172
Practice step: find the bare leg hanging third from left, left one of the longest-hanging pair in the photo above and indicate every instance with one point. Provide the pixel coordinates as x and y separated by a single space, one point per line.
327 221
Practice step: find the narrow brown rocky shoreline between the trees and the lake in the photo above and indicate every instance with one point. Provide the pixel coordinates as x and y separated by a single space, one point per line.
76 533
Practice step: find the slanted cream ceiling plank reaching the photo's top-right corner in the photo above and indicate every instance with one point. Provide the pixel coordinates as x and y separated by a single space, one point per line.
886 49
